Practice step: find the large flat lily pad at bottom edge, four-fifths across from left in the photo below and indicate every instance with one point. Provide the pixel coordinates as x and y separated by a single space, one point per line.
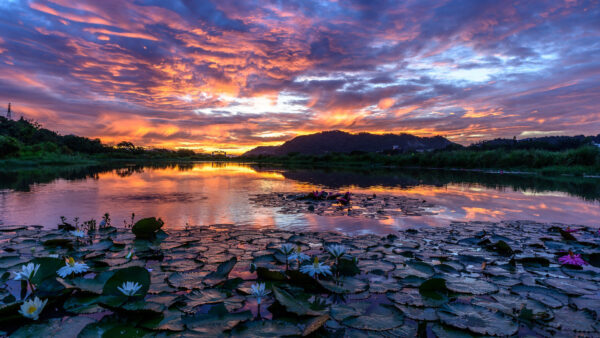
477 319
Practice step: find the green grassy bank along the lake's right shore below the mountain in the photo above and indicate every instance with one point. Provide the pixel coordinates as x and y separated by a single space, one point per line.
583 161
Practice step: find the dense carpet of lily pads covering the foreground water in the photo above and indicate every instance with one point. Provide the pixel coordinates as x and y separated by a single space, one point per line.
480 278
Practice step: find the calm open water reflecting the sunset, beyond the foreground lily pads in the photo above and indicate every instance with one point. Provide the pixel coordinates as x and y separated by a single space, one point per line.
210 193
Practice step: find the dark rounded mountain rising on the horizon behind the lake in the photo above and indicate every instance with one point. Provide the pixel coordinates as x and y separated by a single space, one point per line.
342 142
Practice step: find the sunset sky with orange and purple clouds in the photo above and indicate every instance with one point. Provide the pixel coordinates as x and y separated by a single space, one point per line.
232 75
